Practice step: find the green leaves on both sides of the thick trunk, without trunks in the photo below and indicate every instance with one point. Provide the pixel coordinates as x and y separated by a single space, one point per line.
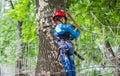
98 20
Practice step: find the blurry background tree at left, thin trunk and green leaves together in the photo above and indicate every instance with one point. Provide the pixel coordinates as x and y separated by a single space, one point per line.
16 24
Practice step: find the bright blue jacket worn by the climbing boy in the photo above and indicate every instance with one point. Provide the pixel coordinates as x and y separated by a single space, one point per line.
63 31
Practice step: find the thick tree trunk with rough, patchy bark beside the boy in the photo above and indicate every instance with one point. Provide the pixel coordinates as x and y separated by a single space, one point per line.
47 58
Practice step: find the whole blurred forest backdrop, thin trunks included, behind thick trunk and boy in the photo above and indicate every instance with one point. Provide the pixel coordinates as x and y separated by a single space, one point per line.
99 42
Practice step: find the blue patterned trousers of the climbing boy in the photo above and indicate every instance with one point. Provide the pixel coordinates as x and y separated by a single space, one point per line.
67 57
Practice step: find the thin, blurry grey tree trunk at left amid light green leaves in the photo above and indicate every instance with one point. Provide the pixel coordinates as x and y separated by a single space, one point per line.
20 47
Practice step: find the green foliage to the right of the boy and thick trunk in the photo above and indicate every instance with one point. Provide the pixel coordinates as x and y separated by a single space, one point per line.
99 21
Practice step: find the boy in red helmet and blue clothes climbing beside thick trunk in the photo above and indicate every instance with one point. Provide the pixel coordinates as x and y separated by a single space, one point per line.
64 35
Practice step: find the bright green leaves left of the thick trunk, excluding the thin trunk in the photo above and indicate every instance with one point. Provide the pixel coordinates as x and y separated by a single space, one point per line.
23 11
